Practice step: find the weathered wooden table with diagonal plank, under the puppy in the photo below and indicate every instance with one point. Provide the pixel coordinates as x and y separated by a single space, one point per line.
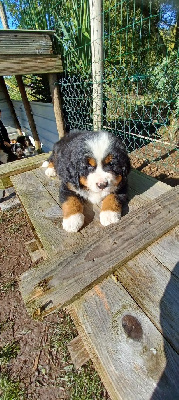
119 283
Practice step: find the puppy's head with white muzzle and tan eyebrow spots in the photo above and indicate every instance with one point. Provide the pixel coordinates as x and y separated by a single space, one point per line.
106 164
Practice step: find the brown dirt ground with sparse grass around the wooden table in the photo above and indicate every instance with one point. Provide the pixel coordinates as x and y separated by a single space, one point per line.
35 363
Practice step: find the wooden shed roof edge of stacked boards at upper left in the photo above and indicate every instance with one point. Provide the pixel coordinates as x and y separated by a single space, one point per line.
28 52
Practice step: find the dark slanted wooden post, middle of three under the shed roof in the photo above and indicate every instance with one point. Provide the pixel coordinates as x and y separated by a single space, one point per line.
28 110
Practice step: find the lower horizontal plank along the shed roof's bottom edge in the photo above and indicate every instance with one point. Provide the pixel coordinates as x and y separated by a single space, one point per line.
29 64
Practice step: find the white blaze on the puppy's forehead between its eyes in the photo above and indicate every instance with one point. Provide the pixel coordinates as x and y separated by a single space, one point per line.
99 145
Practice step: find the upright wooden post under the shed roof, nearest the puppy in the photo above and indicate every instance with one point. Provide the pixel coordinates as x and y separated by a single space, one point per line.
57 104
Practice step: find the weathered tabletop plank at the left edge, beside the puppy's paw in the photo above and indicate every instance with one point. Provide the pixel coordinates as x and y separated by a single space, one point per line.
44 213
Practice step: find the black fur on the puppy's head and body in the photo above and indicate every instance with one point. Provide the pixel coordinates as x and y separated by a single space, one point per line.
70 156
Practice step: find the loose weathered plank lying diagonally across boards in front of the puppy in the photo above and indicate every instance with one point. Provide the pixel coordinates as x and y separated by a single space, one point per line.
69 277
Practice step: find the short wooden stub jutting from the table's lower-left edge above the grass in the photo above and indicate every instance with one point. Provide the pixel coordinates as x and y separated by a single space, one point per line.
78 353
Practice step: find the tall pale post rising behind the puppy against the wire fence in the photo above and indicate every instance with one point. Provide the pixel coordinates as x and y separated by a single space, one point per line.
97 61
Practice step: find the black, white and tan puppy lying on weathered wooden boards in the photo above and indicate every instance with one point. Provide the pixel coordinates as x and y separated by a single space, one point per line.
92 166
